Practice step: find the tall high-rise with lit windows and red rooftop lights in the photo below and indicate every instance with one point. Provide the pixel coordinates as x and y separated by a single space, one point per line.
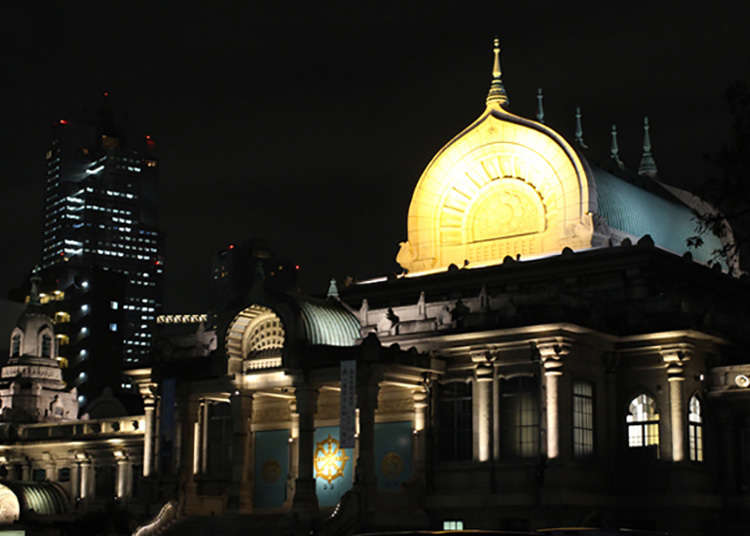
100 227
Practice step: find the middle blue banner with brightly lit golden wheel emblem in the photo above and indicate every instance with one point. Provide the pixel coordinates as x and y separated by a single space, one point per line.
333 466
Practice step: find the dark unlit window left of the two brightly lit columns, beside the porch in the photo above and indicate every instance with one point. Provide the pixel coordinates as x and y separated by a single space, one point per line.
455 421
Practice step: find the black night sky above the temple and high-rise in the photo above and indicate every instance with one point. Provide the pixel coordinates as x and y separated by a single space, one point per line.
310 127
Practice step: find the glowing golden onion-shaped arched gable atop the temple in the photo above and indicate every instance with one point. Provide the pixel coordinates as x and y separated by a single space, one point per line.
504 186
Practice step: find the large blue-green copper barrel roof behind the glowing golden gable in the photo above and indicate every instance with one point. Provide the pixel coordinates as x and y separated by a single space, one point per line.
638 212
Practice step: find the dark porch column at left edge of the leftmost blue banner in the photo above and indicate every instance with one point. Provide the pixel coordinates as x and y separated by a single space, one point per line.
243 459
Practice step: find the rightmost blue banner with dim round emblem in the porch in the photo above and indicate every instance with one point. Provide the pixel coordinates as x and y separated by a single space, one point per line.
393 455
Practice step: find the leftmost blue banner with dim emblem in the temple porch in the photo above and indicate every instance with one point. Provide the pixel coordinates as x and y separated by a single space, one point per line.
271 468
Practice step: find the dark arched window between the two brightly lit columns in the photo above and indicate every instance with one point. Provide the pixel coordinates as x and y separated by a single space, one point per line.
519 417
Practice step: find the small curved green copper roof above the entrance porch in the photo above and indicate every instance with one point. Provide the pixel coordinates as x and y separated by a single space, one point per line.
328 322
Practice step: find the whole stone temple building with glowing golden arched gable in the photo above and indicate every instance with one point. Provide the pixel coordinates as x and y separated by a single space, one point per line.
552 355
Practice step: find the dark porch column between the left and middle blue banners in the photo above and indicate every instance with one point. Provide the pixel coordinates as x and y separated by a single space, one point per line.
305 502
